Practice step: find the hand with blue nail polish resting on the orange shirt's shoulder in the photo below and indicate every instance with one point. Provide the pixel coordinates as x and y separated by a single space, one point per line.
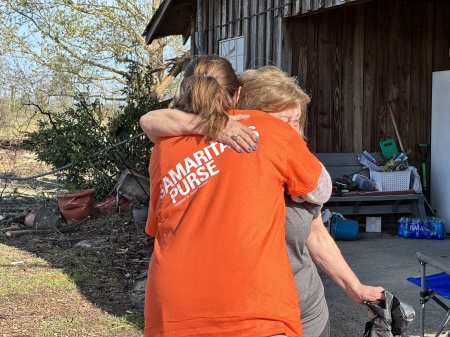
237 136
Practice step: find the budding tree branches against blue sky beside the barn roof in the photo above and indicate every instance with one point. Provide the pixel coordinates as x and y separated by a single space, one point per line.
89 41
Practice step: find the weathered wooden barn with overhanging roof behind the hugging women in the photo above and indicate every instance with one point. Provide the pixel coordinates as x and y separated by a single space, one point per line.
356 58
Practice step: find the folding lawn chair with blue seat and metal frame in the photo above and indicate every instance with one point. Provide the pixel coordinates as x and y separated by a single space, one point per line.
434 287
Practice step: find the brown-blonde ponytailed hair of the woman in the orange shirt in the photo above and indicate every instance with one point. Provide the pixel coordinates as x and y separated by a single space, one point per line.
208 90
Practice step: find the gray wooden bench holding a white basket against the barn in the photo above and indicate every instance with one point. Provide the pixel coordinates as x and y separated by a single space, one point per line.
372 202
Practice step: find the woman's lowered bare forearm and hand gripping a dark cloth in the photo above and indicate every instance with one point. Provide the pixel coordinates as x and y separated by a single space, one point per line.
326 254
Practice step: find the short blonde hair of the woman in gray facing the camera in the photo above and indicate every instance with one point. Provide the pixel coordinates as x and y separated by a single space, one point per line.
269 89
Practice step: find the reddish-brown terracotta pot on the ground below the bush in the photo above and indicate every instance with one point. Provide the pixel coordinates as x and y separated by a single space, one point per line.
76 206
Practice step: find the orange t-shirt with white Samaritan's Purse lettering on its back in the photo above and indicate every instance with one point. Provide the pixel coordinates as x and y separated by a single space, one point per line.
219 265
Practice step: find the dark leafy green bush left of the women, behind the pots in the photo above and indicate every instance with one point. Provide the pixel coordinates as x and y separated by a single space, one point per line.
78 135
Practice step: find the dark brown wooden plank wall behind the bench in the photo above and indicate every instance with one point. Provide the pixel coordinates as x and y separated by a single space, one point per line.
357 61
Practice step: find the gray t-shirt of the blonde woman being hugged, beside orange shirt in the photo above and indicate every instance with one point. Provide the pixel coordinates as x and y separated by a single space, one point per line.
314 309
